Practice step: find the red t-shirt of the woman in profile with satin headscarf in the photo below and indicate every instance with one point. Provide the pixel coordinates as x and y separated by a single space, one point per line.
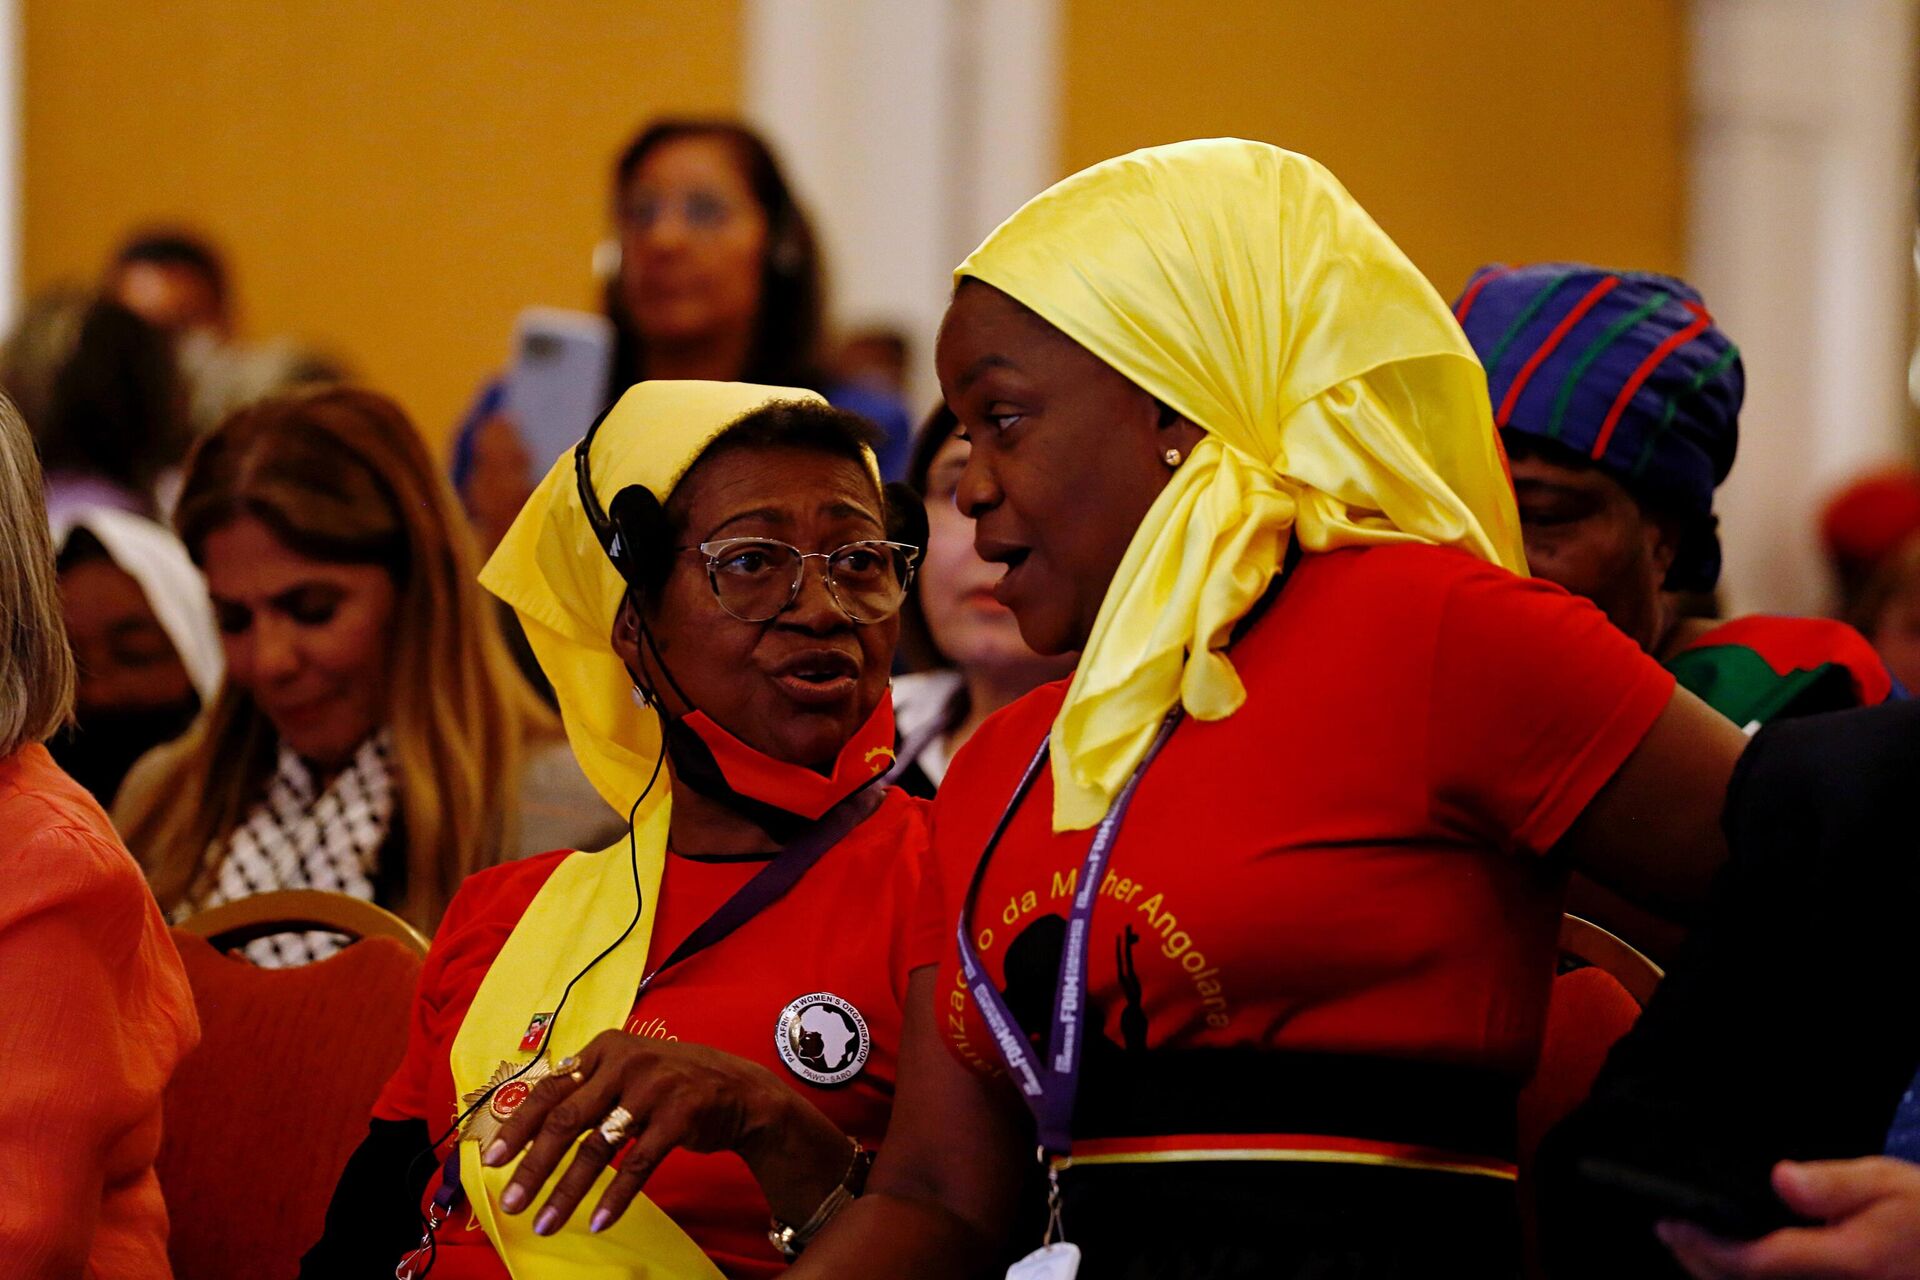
1332 868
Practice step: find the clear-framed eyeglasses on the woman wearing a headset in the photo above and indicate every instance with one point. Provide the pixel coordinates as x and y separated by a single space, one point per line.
757 579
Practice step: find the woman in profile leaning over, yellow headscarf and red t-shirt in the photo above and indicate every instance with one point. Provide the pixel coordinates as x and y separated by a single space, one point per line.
1249 928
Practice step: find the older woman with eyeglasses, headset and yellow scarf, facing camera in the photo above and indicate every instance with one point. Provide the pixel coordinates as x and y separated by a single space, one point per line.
711 1008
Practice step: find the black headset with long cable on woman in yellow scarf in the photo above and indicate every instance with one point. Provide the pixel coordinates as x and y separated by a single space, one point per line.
636 534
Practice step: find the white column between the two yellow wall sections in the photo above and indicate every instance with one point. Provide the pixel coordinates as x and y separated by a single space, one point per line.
903 143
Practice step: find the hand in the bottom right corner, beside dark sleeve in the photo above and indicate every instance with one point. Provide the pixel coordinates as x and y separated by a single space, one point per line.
1873 1227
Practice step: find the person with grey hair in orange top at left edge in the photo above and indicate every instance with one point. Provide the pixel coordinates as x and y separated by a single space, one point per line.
99 1012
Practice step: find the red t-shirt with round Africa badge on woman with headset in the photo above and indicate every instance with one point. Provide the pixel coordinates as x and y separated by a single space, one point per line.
842 930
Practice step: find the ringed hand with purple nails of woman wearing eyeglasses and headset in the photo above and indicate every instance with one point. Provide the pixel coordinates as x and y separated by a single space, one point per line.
681 1097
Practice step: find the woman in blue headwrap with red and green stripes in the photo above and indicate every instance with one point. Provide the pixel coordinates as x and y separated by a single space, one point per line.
1620 398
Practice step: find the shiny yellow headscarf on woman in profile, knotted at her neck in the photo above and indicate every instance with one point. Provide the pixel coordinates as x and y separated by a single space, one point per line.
1247 291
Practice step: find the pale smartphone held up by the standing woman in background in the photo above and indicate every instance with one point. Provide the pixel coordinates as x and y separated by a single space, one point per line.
558 385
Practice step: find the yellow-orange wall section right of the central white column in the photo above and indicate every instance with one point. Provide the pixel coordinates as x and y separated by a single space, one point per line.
1474 131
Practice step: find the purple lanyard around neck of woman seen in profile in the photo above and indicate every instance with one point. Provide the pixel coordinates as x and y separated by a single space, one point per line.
1051 1085
